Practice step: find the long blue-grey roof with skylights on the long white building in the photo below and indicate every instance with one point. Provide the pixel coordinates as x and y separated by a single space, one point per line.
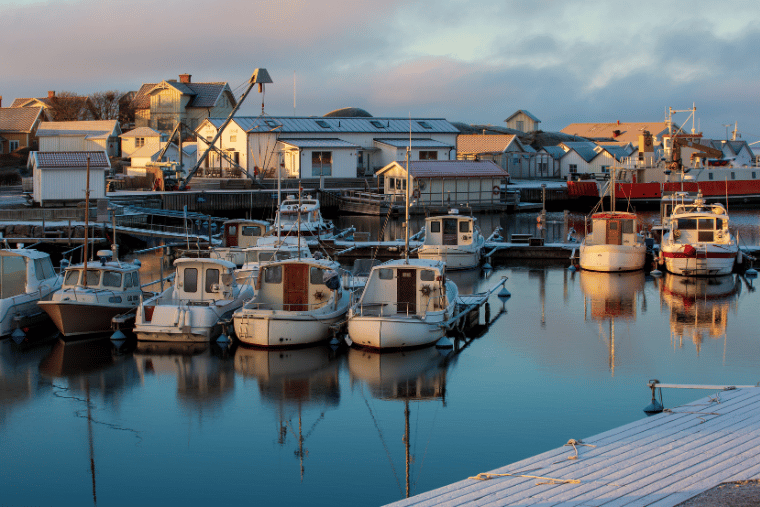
291 124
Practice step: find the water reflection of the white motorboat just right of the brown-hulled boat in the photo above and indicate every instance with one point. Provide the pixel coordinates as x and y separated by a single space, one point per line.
204 376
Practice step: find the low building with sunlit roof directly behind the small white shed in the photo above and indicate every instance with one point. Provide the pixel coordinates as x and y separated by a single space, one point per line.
92 135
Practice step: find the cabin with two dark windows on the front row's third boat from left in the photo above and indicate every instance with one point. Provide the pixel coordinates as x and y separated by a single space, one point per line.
203 280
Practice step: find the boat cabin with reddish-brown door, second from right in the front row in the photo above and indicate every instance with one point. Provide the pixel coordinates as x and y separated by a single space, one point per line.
297 285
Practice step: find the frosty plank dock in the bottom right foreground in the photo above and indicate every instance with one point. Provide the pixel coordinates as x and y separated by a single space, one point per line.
660 461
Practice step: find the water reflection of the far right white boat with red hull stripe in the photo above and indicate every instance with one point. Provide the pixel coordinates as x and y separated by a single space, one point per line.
699 306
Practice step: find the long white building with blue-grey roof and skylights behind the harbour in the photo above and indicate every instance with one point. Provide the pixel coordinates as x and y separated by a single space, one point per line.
351 146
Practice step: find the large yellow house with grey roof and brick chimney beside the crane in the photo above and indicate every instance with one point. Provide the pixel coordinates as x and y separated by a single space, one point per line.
161 105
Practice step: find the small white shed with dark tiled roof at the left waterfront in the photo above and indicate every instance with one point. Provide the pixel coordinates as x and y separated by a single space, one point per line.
62 176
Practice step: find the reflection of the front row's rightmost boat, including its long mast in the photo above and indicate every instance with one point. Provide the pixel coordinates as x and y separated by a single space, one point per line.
411 375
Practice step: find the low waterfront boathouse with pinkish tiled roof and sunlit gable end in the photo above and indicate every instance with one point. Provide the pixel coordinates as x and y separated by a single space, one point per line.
446 182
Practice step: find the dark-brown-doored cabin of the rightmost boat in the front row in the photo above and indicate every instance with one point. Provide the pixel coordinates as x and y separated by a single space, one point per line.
398 287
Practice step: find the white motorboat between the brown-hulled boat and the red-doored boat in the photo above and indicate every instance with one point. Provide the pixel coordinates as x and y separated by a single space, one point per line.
204 294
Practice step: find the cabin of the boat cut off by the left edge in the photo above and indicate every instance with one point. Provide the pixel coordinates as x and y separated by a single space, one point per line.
23 270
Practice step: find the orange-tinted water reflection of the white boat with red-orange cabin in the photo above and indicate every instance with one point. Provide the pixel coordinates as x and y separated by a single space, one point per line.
611 297
